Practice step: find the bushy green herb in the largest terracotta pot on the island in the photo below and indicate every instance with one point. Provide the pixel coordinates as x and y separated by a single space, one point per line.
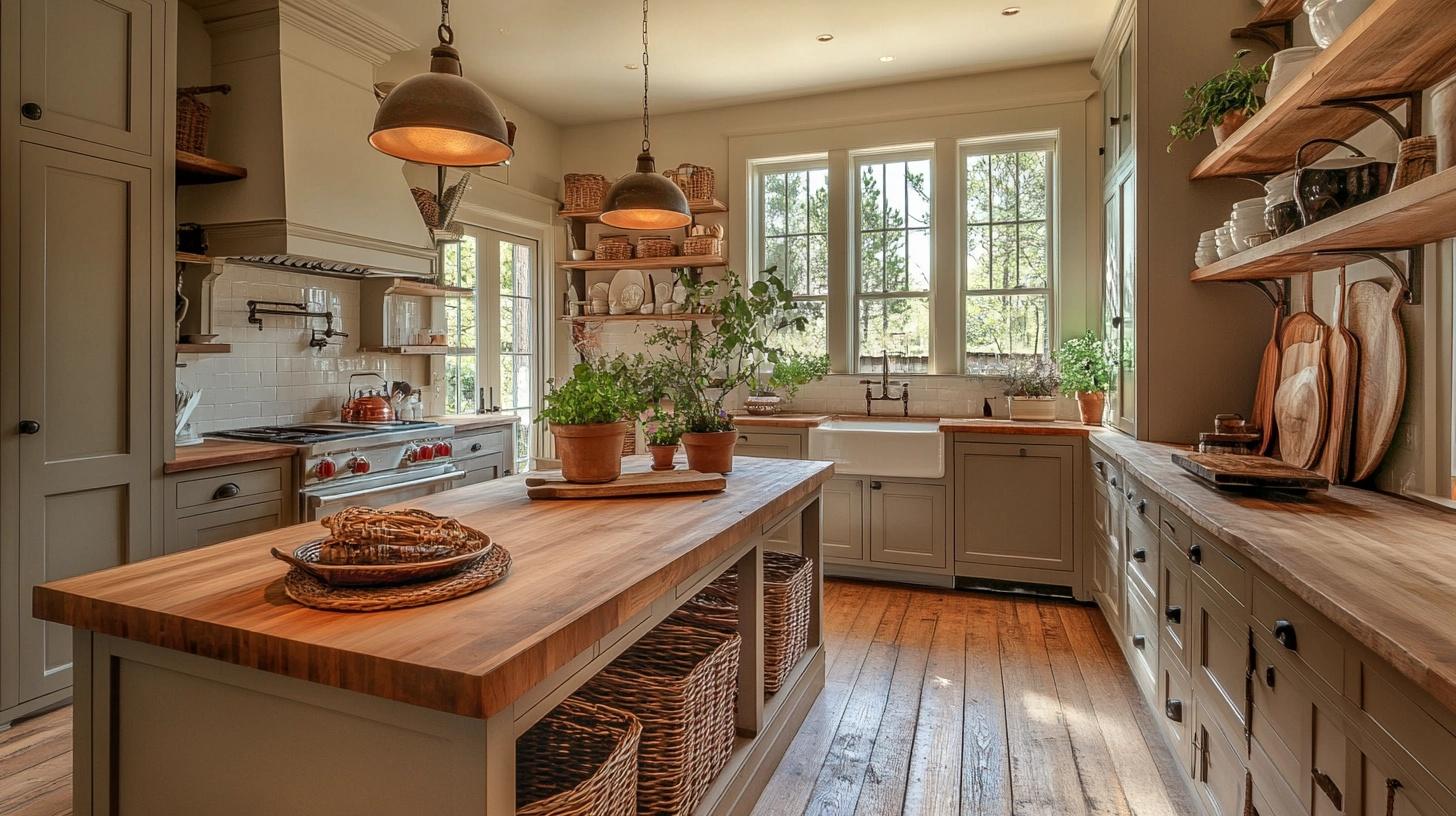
587 417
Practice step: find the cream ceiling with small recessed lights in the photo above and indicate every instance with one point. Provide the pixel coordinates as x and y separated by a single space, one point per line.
566 59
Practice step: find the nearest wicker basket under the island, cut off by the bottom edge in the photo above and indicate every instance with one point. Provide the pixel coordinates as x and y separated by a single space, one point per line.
579 761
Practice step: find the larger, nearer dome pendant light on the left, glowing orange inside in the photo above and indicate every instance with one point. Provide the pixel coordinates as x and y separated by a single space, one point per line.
440 117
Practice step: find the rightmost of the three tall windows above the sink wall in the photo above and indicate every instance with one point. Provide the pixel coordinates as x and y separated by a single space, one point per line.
1008 256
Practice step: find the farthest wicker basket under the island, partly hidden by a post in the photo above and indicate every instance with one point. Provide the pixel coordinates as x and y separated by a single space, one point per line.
788 589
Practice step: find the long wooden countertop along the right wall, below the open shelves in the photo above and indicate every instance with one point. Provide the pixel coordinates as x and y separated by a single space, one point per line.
1381 568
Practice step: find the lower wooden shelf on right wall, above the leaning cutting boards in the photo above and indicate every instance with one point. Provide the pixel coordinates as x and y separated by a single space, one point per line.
1417 215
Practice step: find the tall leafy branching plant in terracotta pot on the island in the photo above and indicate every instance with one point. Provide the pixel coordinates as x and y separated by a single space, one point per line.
704 362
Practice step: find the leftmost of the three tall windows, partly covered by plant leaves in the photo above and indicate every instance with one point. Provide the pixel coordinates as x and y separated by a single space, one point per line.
794 237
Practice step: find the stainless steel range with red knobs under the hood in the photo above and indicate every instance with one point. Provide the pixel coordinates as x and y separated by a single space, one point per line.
368 464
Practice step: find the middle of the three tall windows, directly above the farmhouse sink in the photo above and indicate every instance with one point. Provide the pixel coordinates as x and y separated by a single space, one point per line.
893 264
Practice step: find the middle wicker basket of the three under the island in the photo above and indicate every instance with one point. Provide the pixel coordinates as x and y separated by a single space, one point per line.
682 684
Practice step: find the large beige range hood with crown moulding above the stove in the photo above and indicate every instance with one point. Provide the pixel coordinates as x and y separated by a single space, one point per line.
318 199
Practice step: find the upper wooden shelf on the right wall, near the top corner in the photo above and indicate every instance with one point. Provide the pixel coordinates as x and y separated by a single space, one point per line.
1394 47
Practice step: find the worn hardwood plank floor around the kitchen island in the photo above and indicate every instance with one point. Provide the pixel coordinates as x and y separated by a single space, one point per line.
935 703
